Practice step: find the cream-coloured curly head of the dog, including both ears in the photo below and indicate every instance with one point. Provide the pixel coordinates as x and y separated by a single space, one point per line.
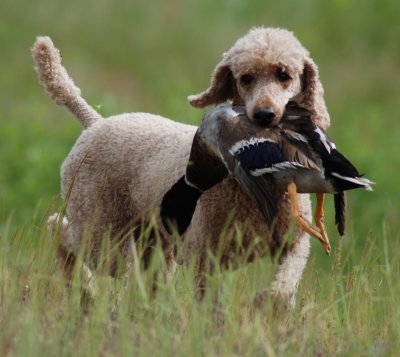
263 71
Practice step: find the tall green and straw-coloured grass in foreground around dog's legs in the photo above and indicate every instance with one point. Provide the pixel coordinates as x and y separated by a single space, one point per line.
352 310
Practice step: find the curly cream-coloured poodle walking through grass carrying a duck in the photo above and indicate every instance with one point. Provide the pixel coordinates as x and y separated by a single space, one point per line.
118 171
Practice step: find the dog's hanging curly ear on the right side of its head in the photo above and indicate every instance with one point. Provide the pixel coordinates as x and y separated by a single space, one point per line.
313 94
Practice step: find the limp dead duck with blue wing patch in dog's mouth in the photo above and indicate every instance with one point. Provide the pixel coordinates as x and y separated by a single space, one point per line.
294 156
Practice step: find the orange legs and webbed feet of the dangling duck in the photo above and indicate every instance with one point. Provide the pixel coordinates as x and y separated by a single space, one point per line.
318 232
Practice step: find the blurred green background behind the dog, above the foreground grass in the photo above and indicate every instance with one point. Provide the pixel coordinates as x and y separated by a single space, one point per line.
149 55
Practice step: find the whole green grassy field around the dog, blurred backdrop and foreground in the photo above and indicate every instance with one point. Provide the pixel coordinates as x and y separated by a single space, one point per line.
148 56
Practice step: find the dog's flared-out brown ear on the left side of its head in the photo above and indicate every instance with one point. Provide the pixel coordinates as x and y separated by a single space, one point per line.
222 88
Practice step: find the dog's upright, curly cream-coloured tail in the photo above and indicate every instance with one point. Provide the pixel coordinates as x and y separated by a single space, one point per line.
60 86
